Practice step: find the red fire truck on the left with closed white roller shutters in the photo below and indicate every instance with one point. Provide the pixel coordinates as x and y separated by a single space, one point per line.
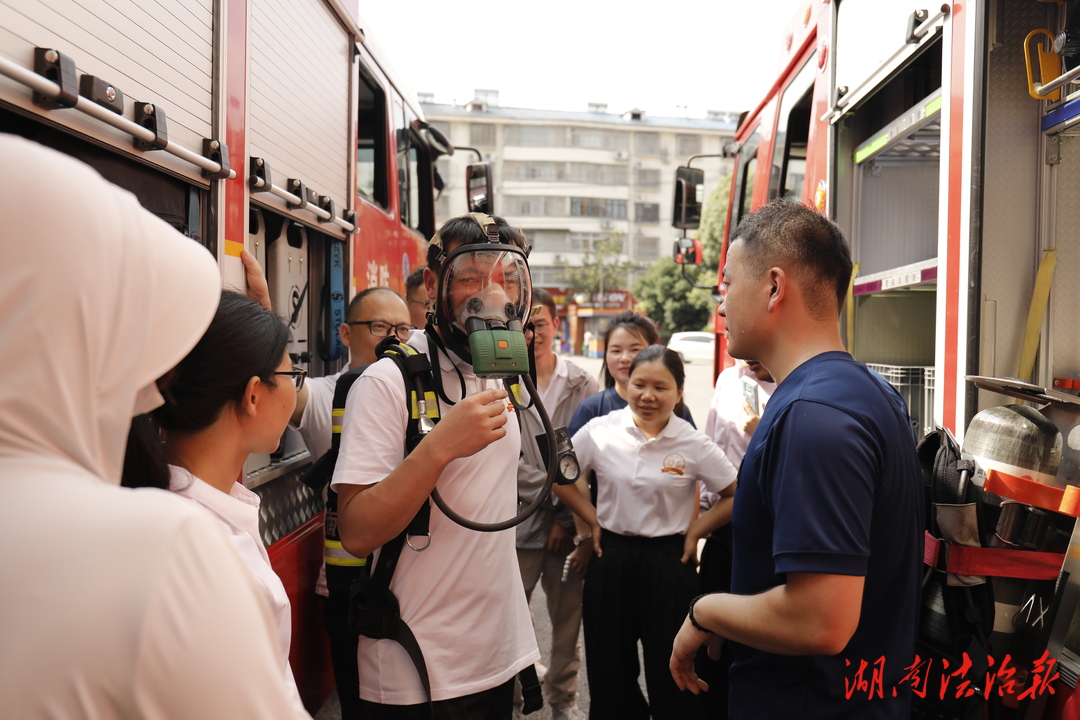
276 127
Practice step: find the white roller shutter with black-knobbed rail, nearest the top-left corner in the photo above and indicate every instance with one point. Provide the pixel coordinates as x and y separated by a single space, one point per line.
153 53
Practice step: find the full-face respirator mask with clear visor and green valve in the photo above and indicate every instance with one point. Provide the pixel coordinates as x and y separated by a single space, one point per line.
485 293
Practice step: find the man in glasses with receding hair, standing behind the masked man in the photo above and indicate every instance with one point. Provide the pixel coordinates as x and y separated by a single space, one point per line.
373 315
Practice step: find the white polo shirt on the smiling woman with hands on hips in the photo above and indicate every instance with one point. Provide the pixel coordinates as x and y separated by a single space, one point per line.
649 487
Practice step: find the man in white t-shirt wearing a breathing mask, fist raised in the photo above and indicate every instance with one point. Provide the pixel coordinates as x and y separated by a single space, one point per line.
462 597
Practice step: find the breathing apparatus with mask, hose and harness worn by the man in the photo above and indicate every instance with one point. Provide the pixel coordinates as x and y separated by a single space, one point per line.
483 308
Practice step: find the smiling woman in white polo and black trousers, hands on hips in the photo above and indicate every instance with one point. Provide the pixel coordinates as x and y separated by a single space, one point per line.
647 461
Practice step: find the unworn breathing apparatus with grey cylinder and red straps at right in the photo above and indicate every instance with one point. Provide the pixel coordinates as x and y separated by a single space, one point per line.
997 534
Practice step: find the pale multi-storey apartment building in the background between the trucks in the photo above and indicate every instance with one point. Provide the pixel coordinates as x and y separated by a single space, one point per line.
572 179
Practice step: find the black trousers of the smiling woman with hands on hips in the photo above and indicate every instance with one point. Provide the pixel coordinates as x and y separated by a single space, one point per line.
638 591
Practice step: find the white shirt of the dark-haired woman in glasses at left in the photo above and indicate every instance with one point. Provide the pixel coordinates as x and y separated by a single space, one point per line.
239 515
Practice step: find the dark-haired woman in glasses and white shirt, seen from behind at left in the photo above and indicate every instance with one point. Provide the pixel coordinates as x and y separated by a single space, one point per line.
231 397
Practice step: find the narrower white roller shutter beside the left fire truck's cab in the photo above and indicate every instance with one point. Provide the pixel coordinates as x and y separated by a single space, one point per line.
300 98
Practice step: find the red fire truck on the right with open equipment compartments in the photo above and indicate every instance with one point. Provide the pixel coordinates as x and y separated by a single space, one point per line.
940 139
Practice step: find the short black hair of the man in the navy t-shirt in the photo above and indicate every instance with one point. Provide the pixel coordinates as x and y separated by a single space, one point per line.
806 243
